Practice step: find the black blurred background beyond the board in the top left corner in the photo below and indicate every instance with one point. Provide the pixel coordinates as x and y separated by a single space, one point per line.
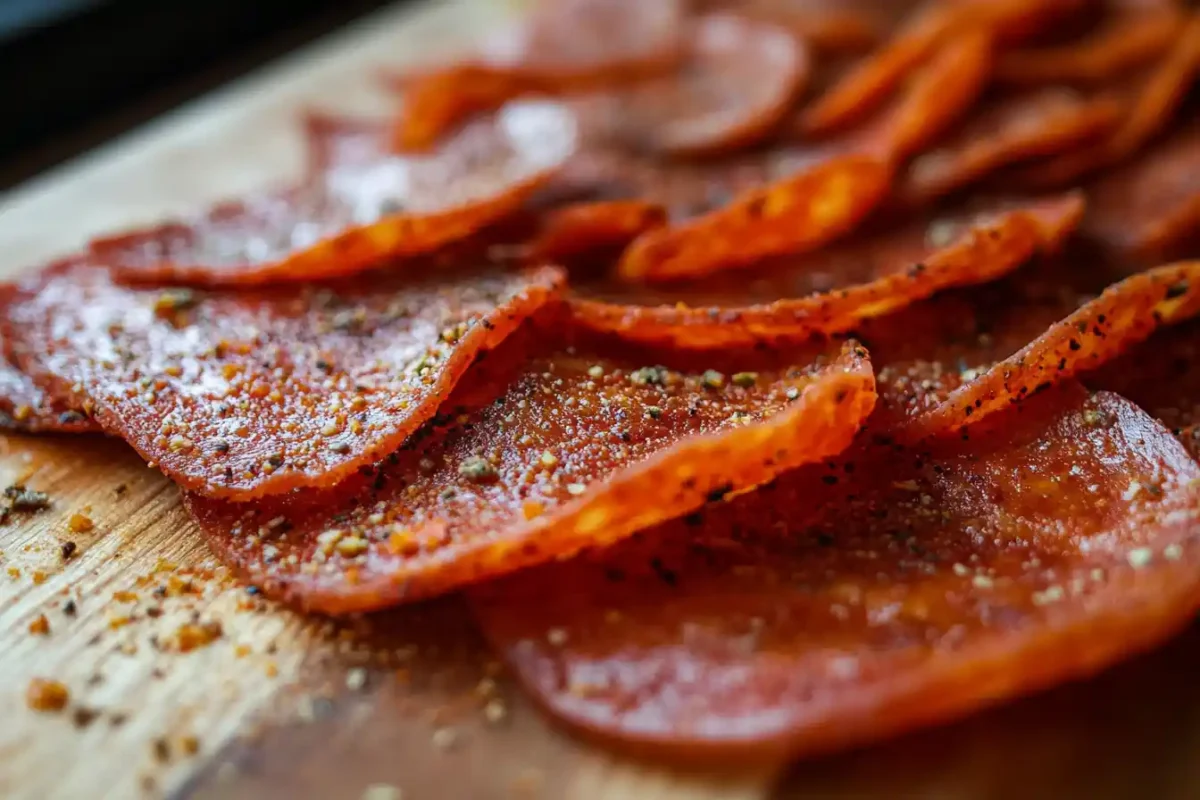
77 73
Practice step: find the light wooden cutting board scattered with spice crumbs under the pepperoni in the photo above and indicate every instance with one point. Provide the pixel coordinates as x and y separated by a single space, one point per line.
407 705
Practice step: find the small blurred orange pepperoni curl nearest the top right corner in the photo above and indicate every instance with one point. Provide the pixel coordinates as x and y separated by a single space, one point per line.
1126 40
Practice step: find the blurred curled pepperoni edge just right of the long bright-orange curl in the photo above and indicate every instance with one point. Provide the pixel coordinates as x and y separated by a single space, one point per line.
1007 131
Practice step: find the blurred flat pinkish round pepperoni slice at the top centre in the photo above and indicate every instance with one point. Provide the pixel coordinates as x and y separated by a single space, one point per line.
736 86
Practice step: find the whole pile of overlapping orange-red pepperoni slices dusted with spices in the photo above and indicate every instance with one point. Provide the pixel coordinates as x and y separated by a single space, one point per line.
772 376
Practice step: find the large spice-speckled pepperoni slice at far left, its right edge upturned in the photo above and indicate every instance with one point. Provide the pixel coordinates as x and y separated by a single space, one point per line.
255 393
